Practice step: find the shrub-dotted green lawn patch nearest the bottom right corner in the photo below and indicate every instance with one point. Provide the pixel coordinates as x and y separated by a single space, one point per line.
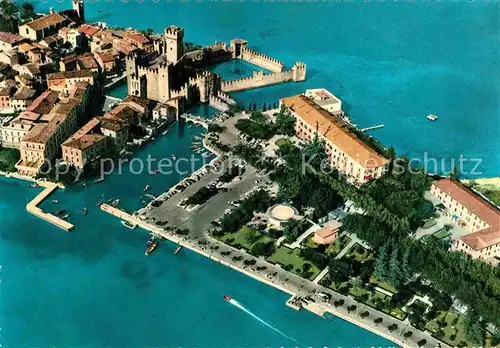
450 329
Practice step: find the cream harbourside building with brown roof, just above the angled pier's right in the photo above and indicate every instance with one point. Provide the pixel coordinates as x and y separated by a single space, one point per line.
85 145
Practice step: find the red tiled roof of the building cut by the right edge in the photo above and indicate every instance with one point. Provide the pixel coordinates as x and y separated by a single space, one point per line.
475 204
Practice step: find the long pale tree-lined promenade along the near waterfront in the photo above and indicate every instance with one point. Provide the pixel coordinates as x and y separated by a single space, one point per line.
288 283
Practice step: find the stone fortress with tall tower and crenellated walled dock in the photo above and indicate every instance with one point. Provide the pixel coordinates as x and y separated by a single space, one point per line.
168 75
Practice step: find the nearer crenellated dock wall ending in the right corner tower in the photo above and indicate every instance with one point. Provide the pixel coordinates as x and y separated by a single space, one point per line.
259 79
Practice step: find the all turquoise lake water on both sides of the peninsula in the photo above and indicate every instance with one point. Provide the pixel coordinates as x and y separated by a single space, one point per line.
390 63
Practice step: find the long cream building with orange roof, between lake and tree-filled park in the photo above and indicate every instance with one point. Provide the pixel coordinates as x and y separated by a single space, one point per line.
346 152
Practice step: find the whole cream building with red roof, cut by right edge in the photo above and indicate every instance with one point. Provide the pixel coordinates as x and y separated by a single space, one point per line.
473 212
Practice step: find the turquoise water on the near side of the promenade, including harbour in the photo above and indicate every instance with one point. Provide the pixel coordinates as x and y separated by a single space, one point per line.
94 287
